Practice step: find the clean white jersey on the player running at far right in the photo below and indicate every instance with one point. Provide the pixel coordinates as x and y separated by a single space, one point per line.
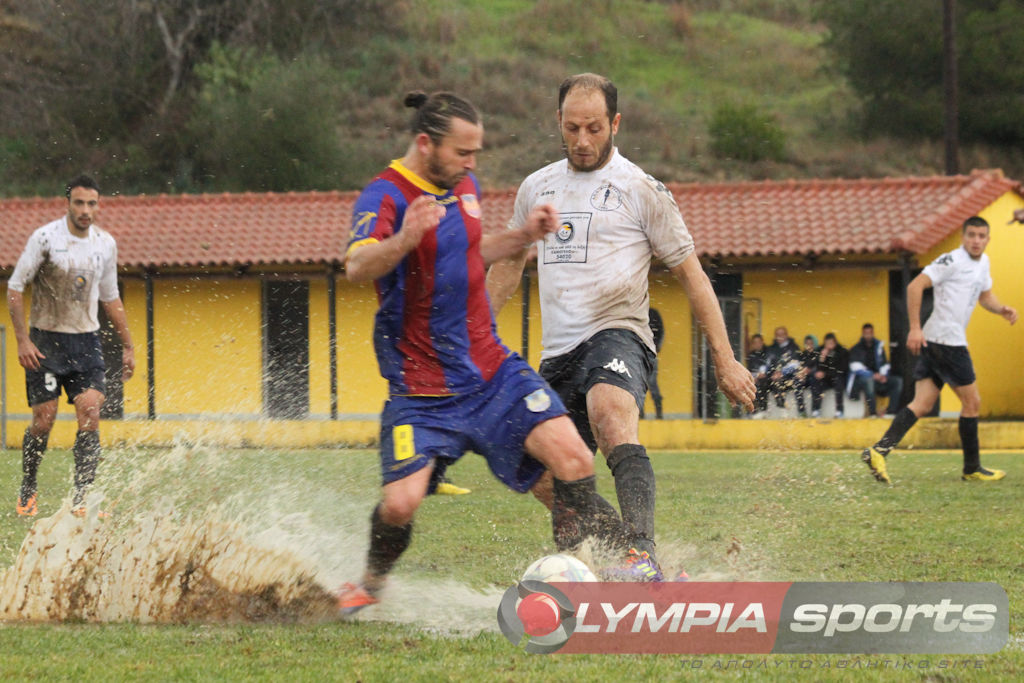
958 281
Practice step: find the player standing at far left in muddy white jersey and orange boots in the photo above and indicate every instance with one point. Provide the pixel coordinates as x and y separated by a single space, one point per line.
72 266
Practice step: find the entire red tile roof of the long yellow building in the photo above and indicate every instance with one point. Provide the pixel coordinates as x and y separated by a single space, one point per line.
729 220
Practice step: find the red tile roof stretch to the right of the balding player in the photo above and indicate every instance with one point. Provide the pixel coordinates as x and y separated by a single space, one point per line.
867 217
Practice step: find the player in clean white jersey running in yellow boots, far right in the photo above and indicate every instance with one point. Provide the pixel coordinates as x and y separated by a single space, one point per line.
961 279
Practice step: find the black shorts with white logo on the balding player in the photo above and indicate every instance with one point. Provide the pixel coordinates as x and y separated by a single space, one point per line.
612 357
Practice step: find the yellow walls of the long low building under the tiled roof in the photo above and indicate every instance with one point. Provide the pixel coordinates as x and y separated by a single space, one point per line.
209 346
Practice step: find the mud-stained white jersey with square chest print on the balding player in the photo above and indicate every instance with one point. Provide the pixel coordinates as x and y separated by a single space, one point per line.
593 272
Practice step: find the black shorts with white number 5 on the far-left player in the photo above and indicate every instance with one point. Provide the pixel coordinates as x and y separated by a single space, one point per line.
74 362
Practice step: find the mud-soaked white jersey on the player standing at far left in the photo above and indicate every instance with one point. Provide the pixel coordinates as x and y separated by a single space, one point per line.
69 276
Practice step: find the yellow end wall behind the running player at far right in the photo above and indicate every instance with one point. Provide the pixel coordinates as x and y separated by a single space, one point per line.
997 349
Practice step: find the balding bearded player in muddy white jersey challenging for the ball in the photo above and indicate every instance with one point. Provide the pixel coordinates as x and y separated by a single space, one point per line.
599 347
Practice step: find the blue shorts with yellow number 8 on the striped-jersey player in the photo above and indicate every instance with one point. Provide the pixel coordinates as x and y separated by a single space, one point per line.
493 421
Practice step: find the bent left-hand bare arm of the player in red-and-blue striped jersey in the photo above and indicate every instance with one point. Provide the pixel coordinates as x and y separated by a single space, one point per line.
376 260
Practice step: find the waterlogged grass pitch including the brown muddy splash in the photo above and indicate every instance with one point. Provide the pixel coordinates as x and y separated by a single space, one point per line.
233 557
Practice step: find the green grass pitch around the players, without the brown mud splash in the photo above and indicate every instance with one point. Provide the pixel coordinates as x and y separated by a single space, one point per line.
742 517
